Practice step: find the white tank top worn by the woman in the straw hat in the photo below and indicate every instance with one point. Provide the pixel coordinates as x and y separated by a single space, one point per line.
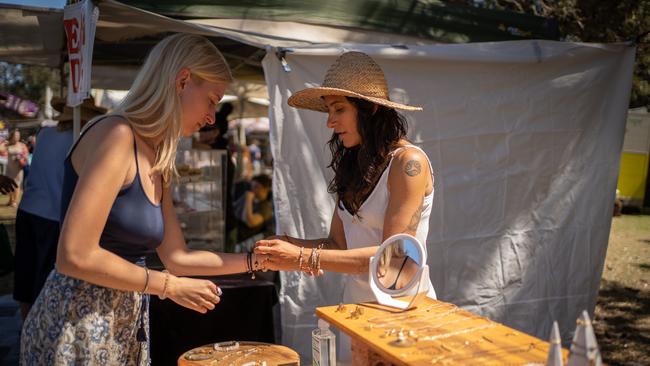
369 230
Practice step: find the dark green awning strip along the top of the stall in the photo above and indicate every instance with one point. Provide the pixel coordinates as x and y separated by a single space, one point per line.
430 20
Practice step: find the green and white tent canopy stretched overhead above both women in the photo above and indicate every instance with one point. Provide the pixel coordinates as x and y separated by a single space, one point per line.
242 32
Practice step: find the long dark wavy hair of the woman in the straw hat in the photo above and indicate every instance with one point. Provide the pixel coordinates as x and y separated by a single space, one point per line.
357 169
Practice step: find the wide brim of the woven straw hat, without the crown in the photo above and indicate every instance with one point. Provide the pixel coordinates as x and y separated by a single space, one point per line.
312 99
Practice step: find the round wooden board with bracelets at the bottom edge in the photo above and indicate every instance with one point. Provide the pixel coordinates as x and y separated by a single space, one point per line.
247 353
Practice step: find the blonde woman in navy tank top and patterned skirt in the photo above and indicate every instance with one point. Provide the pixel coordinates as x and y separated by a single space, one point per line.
117 206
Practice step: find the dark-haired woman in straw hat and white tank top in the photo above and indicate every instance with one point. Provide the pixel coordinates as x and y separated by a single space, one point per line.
383 183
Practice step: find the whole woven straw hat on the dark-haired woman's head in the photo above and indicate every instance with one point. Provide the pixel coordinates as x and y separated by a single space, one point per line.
353 74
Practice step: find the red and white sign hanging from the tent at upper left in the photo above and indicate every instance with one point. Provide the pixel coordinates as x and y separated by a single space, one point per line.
79 21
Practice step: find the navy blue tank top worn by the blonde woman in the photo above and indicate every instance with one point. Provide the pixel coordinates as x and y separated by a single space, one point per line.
134 227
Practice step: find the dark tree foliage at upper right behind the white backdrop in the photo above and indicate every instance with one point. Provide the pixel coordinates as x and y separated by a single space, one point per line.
600 21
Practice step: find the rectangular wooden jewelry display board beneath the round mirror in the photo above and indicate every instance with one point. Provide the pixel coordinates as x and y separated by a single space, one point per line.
433 333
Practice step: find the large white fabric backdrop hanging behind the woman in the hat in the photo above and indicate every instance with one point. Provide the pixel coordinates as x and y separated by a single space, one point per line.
524 138
